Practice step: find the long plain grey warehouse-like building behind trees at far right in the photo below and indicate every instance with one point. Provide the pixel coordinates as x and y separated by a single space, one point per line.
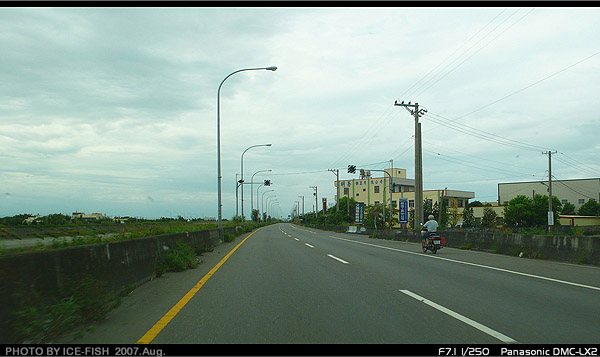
576 192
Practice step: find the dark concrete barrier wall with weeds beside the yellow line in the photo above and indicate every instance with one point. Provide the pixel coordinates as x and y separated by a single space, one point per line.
29 277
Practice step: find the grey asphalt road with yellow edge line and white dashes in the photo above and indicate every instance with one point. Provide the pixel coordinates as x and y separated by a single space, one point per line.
290 284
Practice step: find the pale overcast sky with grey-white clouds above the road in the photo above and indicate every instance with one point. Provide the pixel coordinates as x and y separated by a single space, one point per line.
114 110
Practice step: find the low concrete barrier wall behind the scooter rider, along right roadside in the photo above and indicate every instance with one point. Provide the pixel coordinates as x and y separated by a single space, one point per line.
574 249
